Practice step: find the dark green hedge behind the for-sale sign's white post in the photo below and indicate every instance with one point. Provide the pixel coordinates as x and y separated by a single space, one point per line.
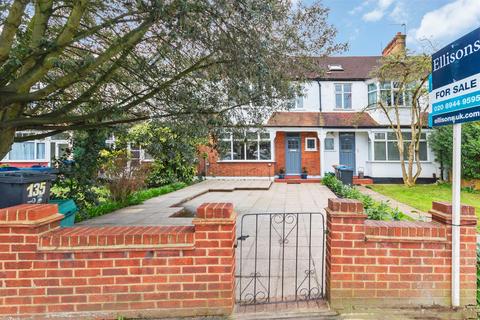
441 143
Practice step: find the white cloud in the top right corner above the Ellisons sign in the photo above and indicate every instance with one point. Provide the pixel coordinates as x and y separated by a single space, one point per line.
449 21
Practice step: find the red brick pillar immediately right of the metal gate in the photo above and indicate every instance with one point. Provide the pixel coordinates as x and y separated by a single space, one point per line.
345 226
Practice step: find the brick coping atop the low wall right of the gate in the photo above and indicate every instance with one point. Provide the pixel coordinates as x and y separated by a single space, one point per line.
405 231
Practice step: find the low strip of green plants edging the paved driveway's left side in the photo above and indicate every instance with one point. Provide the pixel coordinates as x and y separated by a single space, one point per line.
135 198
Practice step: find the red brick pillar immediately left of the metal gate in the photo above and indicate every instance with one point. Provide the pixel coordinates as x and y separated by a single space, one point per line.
215 237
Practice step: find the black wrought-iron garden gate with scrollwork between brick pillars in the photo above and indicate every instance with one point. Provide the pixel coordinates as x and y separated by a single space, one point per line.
280 257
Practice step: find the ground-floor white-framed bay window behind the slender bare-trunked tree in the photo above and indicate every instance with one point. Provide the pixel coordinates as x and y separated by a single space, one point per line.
385 146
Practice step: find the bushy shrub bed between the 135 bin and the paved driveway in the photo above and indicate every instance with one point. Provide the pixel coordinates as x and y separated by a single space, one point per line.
102 178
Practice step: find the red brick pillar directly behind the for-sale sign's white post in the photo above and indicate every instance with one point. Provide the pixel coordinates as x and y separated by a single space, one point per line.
442 212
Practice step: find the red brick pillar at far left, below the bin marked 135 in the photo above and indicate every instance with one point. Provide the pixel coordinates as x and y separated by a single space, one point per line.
20 229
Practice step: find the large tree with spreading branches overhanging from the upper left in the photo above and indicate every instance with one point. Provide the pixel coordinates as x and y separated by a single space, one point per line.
78 64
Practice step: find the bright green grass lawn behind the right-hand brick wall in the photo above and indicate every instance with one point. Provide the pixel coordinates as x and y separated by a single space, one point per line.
421 196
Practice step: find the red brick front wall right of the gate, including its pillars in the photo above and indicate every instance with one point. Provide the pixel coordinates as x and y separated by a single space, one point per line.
396 263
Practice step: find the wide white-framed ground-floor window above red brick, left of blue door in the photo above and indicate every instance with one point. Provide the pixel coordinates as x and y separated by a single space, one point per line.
249 146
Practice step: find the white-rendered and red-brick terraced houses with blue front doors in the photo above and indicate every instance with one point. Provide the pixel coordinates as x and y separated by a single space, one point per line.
327 126
